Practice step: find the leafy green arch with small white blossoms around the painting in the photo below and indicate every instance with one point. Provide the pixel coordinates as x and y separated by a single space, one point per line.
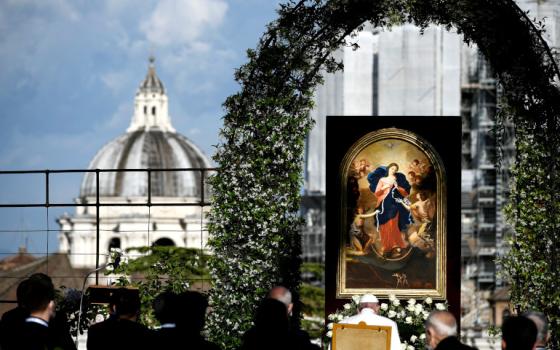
254 221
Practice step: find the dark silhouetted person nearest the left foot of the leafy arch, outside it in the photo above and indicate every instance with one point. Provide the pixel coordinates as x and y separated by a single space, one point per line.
190 320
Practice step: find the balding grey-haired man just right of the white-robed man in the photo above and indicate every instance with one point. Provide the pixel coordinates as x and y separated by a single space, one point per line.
441 332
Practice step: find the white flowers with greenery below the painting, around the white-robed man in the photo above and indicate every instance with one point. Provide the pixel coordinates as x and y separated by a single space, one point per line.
409 316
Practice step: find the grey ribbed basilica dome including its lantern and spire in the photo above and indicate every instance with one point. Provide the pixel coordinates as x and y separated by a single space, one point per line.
150 142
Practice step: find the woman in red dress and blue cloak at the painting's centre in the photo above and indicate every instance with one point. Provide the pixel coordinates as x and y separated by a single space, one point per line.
390 187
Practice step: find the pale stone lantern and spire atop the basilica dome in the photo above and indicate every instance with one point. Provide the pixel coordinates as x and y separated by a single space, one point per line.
150 104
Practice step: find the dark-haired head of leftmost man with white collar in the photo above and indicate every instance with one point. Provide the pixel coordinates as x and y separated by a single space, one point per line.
38 297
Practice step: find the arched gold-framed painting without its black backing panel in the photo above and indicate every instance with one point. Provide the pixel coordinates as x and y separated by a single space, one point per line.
393 224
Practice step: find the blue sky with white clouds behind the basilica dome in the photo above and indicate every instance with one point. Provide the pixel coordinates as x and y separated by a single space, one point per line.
70 69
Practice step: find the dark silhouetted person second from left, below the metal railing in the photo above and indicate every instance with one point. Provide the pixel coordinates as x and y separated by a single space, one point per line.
122 331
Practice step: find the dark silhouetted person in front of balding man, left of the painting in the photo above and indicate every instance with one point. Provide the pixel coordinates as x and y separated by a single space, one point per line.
271 329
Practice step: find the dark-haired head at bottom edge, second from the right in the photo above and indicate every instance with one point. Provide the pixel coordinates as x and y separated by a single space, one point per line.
518 333
